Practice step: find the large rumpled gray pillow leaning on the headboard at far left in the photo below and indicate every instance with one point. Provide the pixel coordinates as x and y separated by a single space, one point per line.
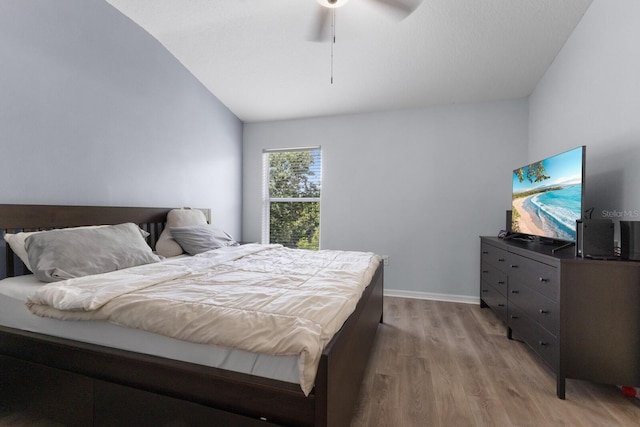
64 254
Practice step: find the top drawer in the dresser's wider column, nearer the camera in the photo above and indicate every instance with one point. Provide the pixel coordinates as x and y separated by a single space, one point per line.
541 277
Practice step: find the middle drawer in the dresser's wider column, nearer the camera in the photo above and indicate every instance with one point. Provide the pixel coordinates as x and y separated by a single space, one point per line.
536 306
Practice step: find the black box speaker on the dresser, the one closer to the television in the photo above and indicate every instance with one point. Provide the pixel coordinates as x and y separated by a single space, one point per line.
594 238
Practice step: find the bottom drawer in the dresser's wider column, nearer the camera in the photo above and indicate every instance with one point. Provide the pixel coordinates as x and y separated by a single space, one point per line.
541 342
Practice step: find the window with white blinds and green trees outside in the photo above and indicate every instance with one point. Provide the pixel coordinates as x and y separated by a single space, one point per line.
291 197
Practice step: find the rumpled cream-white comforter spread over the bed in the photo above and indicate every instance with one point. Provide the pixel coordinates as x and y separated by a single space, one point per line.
258 298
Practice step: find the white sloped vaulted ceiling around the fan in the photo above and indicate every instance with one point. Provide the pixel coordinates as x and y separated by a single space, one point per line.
263 60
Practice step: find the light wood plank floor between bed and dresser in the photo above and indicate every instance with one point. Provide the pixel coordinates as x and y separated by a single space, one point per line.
449 364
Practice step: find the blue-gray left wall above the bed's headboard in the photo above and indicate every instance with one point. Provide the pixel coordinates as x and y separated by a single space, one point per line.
93 110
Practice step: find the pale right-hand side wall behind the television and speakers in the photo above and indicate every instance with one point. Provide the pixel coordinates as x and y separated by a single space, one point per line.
591 96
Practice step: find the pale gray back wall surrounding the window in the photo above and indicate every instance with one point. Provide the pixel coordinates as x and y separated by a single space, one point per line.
417 185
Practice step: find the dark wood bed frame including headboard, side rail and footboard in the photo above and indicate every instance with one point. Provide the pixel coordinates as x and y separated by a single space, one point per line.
82 384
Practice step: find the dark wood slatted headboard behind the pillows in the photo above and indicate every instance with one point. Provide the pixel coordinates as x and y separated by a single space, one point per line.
14 218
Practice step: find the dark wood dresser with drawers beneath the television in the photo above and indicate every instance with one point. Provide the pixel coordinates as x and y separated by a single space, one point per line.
581 316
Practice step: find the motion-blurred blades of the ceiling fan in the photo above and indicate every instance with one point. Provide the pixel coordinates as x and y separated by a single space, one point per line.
326 12
